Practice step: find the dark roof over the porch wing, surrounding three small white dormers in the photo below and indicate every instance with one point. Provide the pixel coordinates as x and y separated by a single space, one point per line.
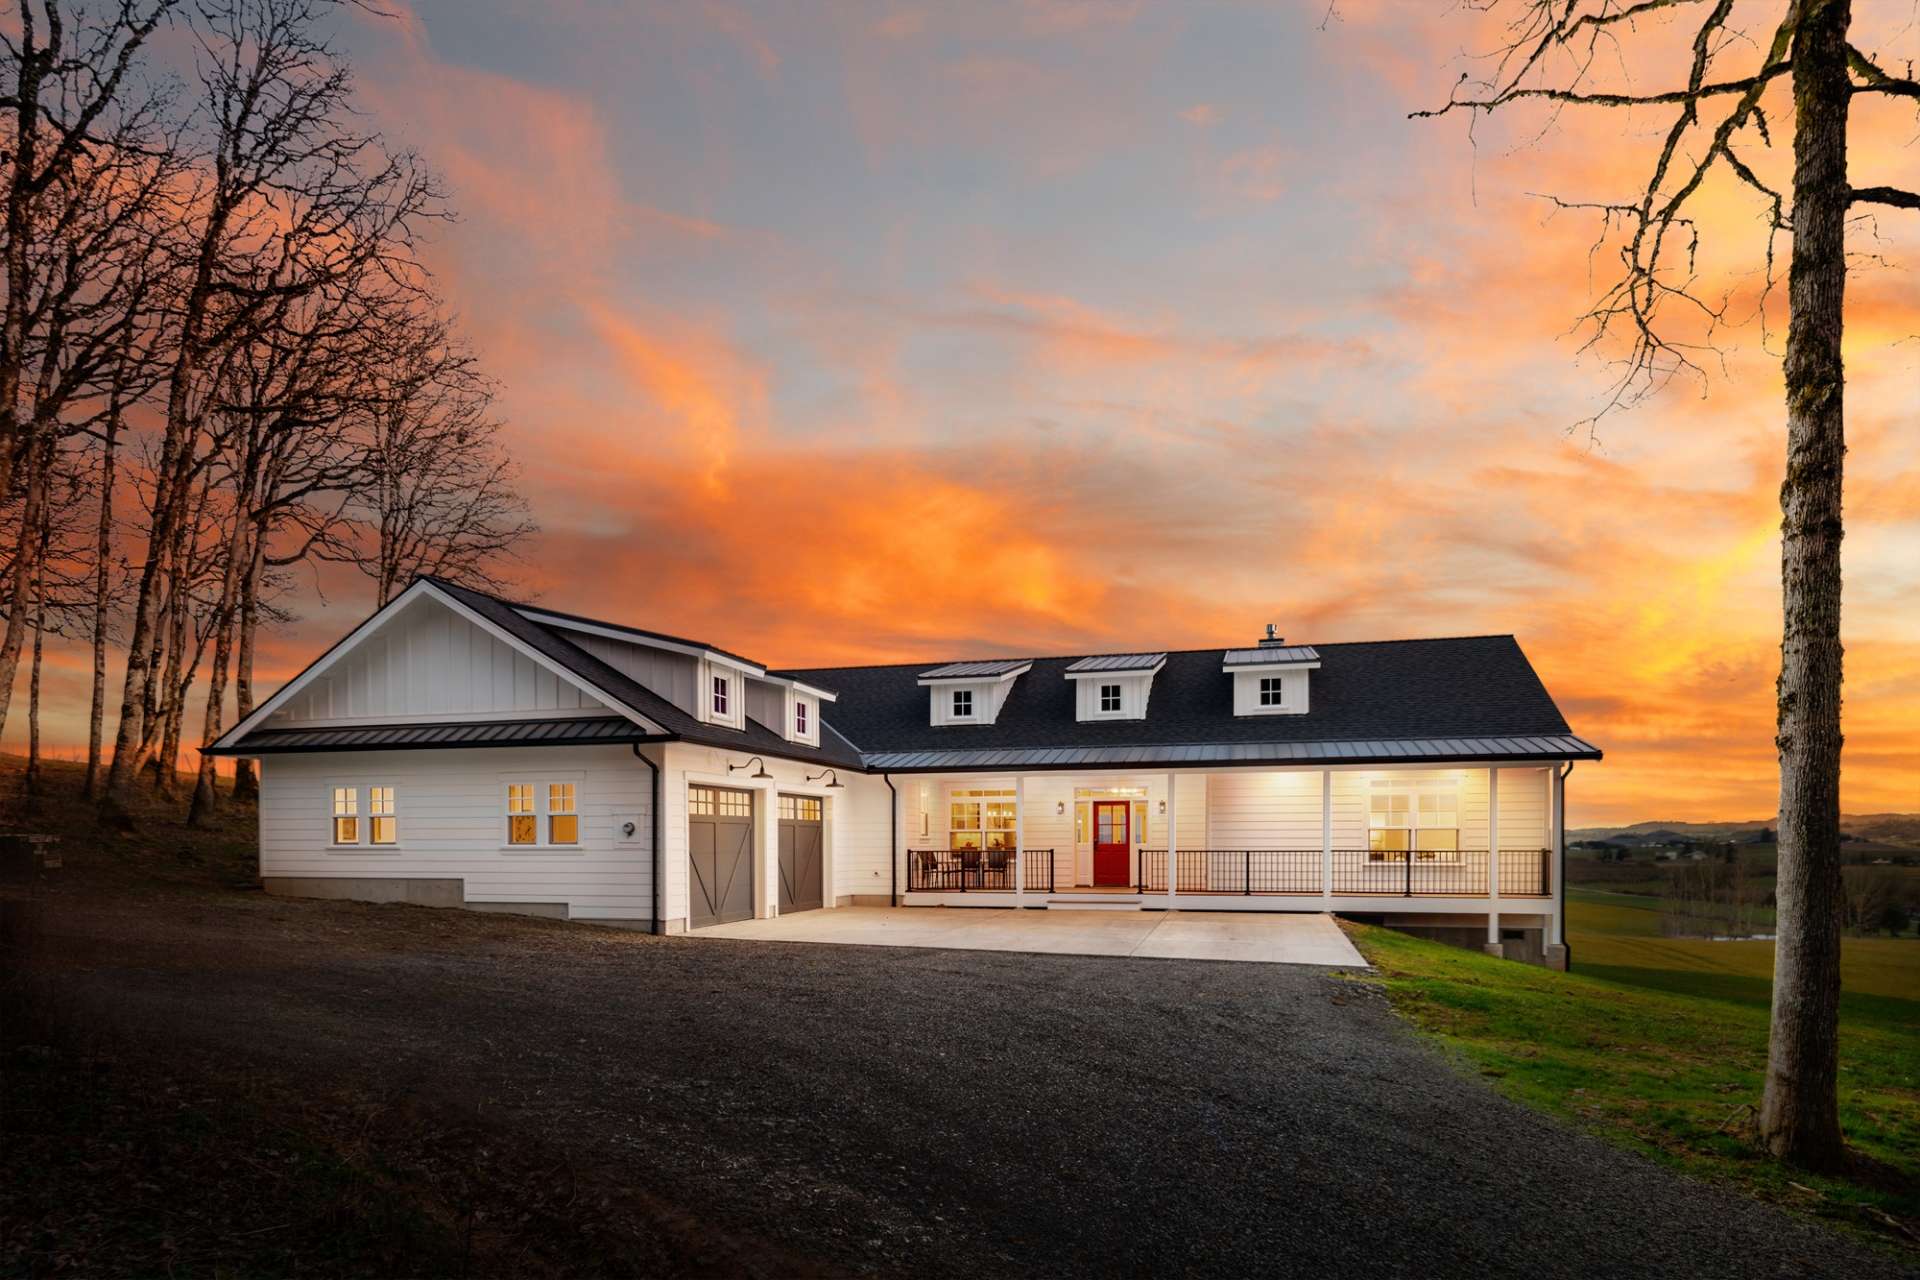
1383 692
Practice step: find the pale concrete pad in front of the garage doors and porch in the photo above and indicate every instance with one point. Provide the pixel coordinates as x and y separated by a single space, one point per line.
1145 936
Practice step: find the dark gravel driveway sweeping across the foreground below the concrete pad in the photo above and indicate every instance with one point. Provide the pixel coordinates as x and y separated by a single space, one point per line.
942 1114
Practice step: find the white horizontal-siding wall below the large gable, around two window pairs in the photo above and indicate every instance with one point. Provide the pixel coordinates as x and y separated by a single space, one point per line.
452 824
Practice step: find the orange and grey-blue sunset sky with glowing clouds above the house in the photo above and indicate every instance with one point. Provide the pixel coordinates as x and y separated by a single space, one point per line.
844 333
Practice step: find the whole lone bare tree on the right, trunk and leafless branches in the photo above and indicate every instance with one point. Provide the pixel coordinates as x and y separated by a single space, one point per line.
1740 85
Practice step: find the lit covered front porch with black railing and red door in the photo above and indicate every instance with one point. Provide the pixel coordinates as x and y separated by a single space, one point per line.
1477 843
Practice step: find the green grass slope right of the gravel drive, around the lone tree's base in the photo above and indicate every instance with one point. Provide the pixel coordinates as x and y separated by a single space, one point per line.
1662 1045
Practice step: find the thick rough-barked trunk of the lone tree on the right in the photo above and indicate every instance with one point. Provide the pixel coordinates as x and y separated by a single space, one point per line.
1800 1118
